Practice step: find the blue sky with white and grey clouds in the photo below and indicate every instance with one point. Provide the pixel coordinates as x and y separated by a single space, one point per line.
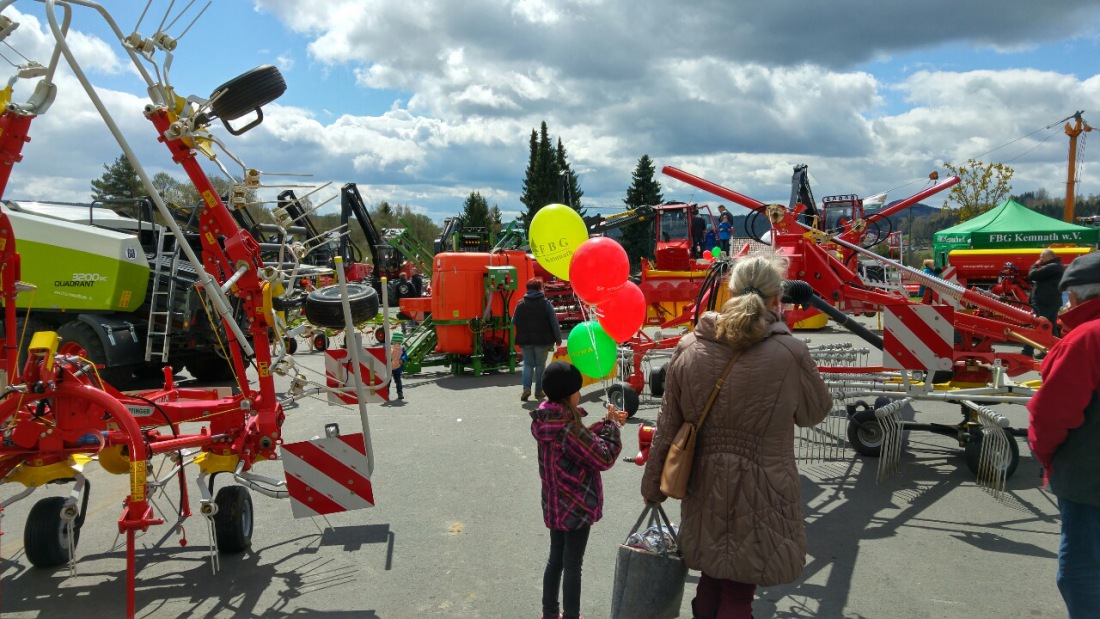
423 102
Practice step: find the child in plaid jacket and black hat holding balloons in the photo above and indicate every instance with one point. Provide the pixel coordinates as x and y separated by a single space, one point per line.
571 458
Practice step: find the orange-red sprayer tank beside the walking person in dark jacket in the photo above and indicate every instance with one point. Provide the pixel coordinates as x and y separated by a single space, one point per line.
459 294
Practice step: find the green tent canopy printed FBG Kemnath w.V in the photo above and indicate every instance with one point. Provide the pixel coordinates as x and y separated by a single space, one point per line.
1008 226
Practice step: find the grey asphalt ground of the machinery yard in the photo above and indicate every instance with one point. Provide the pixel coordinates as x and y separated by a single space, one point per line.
458 529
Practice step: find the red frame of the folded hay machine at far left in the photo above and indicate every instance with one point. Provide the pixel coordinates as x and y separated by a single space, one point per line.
57 407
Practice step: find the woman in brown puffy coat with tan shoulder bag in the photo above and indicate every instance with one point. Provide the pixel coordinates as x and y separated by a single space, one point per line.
742 518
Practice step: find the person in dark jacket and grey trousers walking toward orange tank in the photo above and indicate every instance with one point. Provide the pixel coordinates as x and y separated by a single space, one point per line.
536 330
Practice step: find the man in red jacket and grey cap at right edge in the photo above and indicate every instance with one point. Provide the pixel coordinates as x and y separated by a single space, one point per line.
1064 434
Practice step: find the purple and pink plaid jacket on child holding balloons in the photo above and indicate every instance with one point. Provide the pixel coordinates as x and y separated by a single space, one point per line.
571 458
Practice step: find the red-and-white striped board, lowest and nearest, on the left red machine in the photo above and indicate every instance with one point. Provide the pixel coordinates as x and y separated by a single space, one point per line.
328 476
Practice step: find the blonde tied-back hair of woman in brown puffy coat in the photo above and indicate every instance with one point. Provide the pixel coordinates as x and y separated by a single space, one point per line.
744 317
